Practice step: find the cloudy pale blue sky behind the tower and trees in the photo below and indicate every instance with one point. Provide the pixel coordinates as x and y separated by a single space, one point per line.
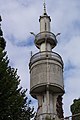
20 17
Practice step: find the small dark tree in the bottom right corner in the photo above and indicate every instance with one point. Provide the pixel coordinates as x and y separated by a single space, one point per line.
75 109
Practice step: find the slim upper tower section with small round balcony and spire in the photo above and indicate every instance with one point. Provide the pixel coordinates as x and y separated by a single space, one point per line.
45 40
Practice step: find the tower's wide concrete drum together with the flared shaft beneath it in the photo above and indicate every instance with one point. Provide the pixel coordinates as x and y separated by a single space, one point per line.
46 81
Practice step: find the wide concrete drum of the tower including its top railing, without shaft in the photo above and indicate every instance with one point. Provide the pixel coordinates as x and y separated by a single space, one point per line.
46 72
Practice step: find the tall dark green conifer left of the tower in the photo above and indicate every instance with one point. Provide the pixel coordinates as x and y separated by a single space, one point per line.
14 105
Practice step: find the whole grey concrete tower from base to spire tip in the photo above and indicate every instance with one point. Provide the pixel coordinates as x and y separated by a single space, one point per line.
46 73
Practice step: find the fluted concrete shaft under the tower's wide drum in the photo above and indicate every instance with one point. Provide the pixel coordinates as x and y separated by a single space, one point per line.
47 107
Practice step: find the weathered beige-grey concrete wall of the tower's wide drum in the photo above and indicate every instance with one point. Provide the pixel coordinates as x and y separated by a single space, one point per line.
46 72
